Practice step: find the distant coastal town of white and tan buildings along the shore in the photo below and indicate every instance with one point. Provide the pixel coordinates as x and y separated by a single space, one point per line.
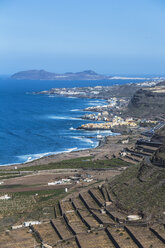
116 113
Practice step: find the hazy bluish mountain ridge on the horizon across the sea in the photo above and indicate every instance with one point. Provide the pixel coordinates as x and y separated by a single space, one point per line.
44 75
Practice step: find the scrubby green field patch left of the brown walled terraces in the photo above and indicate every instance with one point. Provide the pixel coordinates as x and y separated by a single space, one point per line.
30 205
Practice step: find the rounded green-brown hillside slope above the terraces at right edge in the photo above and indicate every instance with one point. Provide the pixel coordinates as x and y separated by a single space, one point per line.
141 188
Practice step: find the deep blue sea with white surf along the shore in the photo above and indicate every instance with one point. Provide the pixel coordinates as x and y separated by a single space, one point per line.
33 126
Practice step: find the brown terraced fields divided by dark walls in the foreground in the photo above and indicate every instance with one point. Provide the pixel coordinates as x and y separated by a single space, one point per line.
82 223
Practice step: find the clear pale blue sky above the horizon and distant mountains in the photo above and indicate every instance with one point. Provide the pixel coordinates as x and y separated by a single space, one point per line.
115 37
